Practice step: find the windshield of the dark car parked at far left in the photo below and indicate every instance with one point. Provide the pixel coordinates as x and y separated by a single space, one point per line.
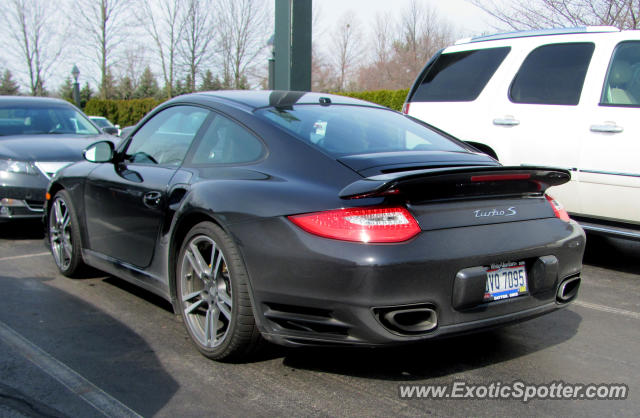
37 119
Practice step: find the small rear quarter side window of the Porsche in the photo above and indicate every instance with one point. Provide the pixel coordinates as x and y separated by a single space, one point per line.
226 142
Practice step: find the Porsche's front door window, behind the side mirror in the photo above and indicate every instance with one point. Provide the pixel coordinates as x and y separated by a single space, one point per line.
165 138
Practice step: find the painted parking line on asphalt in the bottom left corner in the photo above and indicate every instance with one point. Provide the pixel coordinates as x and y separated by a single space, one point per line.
76 383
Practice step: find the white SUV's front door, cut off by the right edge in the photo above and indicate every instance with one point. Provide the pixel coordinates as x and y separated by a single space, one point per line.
609 177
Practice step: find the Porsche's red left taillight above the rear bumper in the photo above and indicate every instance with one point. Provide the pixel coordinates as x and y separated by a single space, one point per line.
387 224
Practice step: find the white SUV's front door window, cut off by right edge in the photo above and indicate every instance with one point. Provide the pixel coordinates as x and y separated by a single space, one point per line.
622 85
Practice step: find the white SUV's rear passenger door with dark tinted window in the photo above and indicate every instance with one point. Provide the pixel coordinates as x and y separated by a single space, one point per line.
537 113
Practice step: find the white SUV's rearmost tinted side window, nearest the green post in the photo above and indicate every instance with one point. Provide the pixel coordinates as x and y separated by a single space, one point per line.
459 76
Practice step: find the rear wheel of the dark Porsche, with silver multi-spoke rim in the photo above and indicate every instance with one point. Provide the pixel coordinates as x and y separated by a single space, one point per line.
213 295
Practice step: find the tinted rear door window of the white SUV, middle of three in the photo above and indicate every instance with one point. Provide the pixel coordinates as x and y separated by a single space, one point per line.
552 74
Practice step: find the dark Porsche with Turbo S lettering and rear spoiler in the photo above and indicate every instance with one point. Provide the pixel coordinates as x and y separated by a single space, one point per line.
314 219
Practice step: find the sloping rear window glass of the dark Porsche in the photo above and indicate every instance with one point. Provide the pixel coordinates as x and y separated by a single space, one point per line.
348 130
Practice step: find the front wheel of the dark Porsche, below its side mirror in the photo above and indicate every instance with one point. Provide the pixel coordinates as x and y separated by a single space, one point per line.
64 235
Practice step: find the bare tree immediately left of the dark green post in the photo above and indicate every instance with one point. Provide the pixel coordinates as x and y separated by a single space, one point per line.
243 31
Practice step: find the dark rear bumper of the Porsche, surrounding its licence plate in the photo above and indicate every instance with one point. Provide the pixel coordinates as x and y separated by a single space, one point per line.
311 290
